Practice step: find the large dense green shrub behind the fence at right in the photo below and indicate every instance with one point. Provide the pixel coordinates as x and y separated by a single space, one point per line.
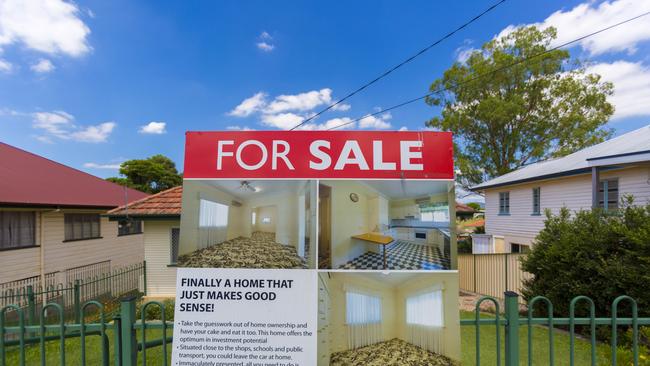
593 253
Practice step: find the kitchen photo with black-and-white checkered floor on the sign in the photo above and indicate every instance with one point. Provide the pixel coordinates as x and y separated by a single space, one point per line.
386 225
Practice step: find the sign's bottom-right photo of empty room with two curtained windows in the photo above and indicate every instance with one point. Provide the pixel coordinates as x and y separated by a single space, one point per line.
389 318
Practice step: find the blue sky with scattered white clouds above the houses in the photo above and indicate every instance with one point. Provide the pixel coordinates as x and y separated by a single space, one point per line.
93 83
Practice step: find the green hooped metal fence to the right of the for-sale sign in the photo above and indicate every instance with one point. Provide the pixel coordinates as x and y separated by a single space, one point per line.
511 321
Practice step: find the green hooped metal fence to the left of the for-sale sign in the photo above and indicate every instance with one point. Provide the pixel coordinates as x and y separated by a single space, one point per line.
120 341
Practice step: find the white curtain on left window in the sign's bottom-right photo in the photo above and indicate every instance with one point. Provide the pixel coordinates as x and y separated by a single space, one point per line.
363 319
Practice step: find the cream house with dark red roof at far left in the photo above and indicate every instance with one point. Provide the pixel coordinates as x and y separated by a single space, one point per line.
51 225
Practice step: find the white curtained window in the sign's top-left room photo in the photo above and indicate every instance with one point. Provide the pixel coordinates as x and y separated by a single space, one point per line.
213 223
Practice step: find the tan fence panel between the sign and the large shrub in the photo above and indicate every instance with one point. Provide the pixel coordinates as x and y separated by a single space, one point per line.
491 274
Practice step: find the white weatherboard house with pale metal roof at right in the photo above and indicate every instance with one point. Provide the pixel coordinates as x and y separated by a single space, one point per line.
597 176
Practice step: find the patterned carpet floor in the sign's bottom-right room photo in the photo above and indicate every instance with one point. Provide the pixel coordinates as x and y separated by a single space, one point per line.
395 352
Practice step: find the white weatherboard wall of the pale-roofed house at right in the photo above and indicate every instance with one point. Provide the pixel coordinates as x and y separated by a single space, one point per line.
573 192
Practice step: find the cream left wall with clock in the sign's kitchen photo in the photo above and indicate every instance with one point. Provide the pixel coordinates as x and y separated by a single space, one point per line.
348 219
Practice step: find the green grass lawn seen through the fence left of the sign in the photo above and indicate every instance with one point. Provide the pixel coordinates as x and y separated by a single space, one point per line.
93 351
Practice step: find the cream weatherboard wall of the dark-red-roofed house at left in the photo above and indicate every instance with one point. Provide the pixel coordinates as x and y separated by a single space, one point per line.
59 256
